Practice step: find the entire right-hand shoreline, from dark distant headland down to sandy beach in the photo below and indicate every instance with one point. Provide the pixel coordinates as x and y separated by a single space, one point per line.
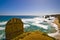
57 22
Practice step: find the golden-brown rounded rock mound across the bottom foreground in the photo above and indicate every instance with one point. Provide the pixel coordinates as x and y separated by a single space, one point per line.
36 35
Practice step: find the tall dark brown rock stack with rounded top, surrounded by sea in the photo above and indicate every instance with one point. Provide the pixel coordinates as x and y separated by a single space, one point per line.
14 27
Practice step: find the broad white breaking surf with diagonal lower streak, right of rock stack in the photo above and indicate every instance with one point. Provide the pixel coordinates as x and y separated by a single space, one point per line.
37 21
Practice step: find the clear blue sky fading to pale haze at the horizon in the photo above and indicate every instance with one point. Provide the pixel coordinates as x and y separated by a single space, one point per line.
29 7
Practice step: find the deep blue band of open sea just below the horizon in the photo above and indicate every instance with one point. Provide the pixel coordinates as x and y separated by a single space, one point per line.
5 18
